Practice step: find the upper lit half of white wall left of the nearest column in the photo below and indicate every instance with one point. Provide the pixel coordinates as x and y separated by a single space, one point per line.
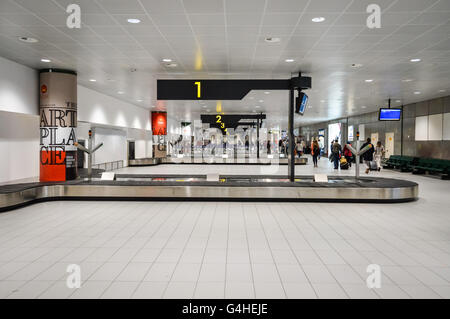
19 88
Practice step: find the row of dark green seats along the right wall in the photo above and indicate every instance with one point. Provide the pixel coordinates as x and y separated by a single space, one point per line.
418 165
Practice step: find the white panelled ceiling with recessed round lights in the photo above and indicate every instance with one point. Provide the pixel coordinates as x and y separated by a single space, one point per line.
225 39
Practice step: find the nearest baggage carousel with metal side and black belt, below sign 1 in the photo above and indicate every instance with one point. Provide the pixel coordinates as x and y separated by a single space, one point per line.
196 187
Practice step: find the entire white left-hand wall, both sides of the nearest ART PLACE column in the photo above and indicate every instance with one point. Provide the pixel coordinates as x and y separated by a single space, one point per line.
19 122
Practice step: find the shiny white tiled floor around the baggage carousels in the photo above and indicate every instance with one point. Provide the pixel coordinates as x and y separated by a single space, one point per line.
229 250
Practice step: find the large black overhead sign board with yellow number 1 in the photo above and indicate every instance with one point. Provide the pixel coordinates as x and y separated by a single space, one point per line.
223 89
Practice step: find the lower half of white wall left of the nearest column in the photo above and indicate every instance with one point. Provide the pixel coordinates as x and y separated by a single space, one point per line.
19 144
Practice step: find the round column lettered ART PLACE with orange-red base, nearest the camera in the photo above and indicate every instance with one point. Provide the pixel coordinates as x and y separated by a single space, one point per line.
58 122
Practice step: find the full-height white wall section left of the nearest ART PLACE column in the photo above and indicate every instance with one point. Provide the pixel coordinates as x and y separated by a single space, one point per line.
19 121
